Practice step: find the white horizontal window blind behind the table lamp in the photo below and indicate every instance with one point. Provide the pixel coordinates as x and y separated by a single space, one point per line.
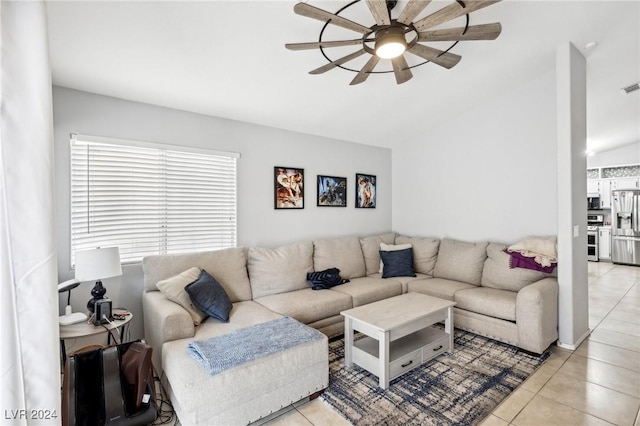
150 198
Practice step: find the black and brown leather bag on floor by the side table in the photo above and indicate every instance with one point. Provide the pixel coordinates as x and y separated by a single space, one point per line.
109 386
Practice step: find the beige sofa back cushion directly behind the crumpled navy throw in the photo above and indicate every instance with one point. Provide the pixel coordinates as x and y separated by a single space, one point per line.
342 253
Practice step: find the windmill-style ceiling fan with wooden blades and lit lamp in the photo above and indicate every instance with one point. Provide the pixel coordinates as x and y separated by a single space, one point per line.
391 38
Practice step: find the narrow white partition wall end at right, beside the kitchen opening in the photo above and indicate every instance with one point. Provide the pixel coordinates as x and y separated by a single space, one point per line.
573 300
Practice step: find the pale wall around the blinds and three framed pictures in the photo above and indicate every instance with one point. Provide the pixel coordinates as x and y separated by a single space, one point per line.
261 149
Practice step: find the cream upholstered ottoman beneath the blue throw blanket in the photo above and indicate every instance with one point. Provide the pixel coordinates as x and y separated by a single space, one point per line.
247 392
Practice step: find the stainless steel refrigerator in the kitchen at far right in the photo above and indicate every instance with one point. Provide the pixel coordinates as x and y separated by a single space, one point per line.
625 226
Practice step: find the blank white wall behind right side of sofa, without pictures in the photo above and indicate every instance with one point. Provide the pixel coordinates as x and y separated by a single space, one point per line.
486 174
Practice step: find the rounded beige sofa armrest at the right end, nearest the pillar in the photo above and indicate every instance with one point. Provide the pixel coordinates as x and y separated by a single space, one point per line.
537 315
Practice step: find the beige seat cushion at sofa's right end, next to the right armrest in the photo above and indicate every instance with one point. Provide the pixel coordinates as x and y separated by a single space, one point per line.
488 301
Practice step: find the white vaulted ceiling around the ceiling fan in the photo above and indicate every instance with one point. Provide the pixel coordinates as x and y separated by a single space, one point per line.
227 59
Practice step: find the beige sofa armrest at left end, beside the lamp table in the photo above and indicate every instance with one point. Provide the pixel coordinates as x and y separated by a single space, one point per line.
164 321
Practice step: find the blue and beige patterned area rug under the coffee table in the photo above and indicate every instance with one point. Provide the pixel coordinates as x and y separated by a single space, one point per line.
453 389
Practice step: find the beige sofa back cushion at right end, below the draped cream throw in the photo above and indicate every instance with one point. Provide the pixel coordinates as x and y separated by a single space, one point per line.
497 273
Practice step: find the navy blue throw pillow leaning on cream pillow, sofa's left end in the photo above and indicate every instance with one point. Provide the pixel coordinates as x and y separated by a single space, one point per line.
209 296
